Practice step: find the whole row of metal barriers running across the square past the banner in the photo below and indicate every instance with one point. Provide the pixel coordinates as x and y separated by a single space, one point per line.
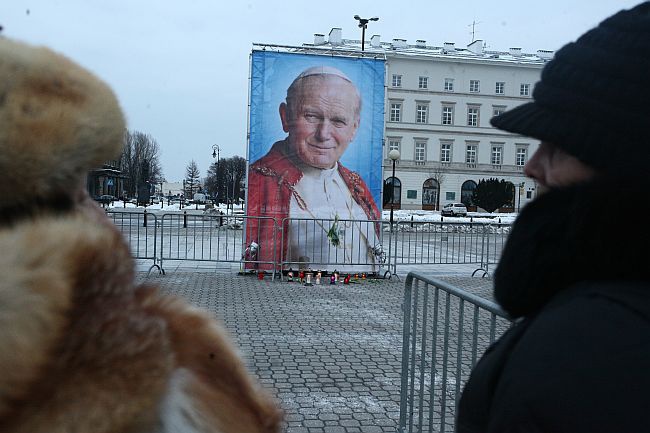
347 245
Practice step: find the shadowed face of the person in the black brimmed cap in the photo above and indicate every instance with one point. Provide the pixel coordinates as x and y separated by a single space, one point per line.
552 167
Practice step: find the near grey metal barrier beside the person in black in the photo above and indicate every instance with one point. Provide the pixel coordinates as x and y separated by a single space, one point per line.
445 330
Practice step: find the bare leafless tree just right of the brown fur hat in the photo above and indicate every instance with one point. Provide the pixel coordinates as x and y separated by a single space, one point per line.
138 148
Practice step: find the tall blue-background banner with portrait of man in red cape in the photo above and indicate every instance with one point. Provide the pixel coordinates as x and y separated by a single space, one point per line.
315 153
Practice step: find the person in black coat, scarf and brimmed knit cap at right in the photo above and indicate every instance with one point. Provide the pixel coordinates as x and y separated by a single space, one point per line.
575 278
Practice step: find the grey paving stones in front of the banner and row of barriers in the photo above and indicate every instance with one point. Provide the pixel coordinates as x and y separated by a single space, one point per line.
331 354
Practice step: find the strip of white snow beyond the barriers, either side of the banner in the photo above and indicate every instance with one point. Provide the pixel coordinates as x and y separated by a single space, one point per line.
398 215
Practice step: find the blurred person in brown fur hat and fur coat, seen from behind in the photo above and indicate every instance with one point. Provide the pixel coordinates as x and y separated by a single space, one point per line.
82 347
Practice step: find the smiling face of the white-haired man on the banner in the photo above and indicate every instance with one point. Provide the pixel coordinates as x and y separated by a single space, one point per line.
324 120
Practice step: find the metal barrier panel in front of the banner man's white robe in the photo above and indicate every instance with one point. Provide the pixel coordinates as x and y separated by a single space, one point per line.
345 245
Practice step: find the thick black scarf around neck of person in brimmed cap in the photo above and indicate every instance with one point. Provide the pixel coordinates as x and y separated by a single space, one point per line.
593 232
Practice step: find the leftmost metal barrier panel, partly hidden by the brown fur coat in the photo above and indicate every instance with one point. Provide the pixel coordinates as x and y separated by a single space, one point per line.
139 230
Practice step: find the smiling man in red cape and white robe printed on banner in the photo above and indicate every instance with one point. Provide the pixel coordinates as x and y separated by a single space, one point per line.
301 177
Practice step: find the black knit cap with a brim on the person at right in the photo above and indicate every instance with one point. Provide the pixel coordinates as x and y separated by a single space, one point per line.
593 99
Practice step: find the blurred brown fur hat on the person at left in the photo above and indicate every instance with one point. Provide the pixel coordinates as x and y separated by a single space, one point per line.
57 121
